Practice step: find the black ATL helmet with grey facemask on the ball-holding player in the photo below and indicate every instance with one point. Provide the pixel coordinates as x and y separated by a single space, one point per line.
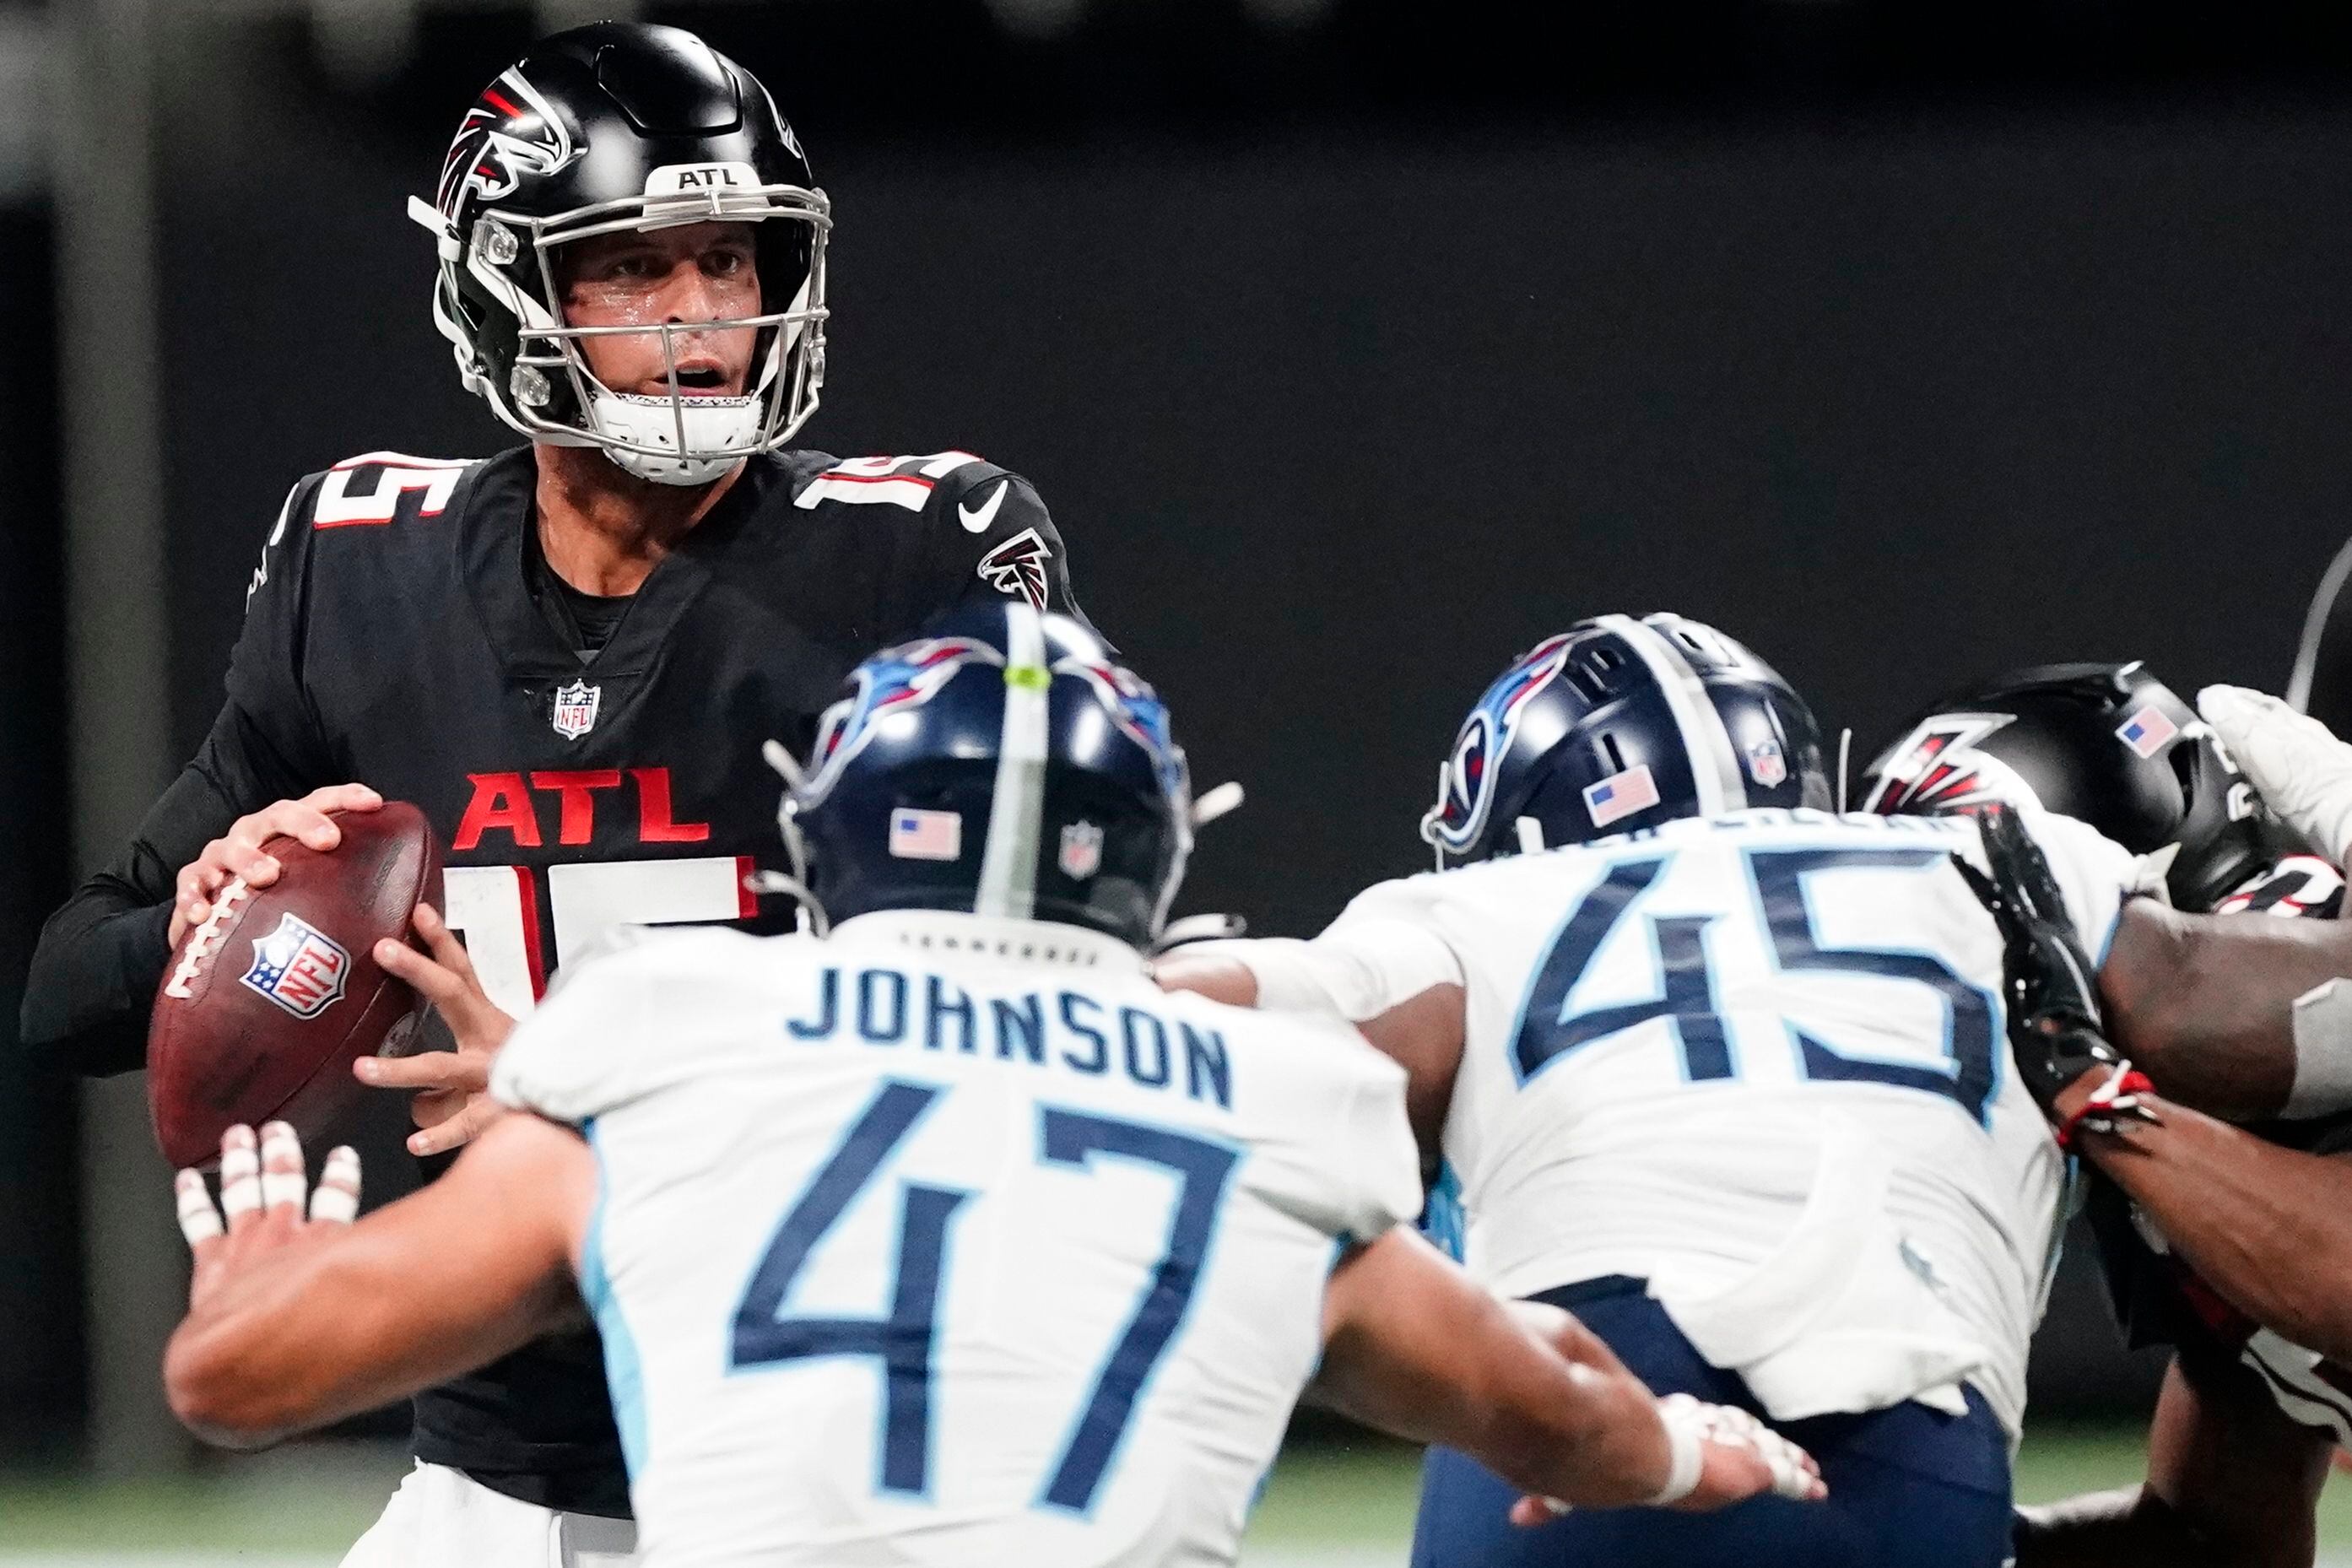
601 130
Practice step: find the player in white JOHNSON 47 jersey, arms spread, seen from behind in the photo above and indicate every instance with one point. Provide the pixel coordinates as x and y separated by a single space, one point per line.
942 1240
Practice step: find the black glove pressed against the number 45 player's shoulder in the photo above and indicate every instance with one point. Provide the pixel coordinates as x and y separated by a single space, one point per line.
2052 996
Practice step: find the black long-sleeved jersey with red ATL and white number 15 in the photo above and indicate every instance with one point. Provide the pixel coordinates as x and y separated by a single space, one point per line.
394 638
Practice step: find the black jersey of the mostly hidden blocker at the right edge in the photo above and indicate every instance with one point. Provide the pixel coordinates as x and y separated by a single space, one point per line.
2158 1296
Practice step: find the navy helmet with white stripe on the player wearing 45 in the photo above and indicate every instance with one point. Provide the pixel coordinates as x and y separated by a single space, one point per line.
1619 725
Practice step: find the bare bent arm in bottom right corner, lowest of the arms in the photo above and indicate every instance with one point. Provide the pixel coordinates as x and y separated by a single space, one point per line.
2231 1485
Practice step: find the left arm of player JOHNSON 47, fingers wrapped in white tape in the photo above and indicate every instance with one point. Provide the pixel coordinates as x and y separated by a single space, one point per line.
298 1325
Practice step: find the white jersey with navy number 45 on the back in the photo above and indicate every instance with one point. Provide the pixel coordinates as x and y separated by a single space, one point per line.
1751 1059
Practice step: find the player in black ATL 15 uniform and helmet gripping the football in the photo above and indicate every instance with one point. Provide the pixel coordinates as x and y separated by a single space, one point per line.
566 655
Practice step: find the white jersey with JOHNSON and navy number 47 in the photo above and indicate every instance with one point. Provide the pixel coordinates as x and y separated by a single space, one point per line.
954 1242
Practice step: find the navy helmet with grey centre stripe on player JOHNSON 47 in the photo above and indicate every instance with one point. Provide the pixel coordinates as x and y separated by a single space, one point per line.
1001 765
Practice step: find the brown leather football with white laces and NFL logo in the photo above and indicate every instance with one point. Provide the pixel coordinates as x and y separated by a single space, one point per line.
276 993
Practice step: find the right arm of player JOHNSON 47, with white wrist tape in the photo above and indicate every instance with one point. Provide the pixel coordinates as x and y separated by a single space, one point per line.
1417 1348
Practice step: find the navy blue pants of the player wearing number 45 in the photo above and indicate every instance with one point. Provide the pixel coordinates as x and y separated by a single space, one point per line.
1909 1487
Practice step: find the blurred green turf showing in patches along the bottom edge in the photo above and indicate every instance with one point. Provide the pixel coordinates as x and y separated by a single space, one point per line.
1328 1508
